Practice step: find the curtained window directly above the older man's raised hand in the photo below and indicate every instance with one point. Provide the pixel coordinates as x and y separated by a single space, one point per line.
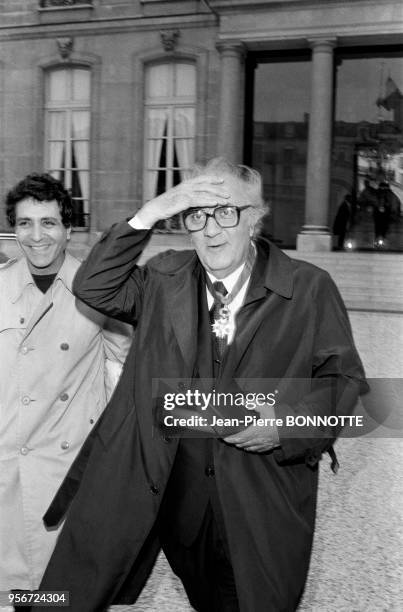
170 98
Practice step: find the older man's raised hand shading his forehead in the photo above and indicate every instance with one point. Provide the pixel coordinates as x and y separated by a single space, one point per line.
198 191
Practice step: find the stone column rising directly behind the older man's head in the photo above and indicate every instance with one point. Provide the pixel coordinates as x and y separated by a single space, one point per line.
230 118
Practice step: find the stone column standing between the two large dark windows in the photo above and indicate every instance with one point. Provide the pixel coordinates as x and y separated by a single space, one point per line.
315 235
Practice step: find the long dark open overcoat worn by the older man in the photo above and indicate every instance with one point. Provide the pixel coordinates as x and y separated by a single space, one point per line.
292 327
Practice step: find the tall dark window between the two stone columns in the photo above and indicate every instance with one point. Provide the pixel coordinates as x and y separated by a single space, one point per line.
278 88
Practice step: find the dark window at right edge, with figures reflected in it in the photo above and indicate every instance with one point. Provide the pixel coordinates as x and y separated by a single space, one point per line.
368 146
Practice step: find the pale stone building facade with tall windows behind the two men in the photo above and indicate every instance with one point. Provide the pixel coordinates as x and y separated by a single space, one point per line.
118 98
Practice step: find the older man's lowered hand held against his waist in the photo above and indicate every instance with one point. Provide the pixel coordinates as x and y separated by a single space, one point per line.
257 438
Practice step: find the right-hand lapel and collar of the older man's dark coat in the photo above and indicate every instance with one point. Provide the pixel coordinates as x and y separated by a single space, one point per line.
271 275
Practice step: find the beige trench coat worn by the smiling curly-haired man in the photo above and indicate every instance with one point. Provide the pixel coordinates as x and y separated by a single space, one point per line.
52 390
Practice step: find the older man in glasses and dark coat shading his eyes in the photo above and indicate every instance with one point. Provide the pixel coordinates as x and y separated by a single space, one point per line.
233 509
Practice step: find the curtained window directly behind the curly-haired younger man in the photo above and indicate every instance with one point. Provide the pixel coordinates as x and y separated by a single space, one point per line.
67 129
